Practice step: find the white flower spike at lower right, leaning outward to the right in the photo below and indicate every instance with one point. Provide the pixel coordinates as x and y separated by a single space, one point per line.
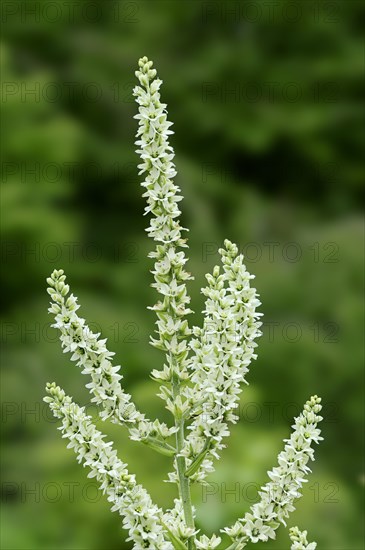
279 494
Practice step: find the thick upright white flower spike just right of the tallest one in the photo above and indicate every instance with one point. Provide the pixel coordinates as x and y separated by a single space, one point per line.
223 350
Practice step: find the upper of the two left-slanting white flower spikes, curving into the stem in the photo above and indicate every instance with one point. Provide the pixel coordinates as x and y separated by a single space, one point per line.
90 353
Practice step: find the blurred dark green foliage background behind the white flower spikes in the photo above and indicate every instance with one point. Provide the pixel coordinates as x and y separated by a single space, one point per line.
266 101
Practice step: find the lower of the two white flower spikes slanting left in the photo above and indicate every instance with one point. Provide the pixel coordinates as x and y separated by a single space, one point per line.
141 518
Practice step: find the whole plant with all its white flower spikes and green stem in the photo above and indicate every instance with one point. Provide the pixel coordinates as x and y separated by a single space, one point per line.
200 380
